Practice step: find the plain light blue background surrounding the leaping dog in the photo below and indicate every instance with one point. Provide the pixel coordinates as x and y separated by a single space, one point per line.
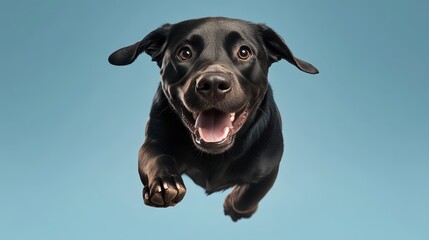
357 135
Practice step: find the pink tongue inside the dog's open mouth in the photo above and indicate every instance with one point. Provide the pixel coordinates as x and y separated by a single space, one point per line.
213 125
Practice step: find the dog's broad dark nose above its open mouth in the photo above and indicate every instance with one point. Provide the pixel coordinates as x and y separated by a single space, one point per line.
213 85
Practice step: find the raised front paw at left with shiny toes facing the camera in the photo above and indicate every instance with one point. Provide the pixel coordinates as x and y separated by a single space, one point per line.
164 191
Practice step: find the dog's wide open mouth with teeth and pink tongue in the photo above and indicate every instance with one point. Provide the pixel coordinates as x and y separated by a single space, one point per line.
213 127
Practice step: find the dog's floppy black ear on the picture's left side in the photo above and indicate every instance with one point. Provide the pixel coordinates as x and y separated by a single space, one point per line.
153 44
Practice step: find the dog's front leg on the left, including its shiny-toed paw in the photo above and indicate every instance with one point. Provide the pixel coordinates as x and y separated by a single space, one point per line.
163 186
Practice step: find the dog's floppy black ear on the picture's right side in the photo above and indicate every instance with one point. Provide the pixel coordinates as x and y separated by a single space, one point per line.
277 50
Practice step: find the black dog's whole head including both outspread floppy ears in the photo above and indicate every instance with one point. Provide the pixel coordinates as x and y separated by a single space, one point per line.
214 73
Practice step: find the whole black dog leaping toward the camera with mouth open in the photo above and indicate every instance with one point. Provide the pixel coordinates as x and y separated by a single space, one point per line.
213 116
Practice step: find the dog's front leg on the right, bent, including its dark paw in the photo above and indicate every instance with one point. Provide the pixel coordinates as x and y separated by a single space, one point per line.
243 201
